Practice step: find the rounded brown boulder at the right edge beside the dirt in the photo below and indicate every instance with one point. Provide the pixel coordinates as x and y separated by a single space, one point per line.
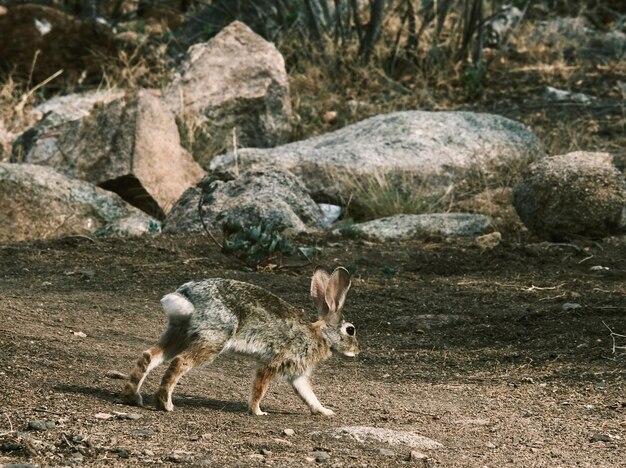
571 195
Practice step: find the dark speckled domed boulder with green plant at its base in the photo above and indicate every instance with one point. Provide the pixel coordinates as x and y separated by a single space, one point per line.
273 195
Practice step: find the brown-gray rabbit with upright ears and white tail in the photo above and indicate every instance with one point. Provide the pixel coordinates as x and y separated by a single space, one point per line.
218 315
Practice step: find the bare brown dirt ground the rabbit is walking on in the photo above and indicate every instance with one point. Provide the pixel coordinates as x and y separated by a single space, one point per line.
500 355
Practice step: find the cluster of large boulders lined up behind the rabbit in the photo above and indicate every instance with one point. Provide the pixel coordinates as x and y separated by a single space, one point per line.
115 164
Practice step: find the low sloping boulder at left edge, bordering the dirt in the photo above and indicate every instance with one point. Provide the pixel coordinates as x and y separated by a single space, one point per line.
36 202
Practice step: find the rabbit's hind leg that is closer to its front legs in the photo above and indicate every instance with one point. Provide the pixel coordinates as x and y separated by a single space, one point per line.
196 353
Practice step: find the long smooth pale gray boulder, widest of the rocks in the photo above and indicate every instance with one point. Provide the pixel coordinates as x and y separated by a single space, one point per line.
432 150
